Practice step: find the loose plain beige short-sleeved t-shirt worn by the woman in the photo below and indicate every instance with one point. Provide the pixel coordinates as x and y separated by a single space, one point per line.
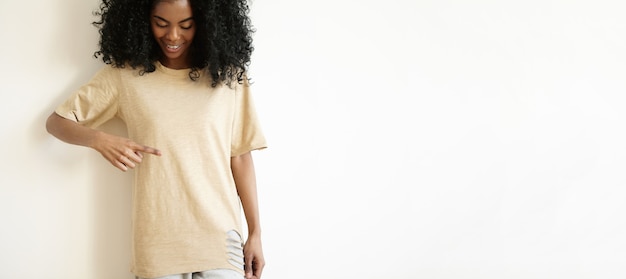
186 211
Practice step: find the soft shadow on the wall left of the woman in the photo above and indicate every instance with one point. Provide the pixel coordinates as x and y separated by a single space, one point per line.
111 199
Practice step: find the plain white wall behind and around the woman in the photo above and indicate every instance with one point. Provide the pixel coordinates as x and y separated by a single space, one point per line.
408 139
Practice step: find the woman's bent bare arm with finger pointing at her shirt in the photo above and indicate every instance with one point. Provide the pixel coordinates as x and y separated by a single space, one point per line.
123 153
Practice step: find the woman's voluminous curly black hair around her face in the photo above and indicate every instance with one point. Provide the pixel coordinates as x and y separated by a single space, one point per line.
222 43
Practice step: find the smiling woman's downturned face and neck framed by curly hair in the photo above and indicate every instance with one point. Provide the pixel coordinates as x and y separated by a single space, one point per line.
173 28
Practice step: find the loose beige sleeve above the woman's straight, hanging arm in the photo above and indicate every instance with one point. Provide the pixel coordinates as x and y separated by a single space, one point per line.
247 132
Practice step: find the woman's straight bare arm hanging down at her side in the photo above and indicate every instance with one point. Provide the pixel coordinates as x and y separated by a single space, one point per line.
245 180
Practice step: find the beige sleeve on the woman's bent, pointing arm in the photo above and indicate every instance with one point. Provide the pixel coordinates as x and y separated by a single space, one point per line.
95 102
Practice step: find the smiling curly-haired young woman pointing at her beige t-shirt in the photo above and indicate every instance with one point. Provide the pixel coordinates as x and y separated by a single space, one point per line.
176 75
